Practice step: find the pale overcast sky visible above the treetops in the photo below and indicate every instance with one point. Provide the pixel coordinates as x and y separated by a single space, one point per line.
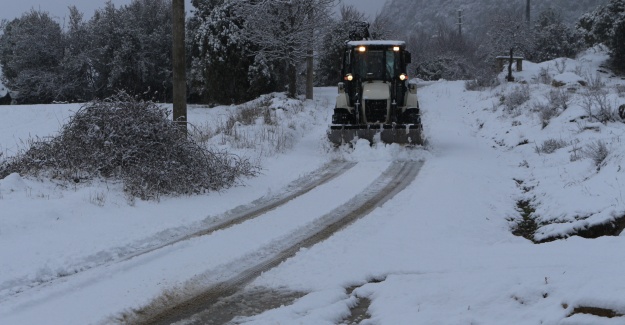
10 9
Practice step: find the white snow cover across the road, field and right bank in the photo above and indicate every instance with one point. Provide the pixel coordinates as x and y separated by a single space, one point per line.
440 252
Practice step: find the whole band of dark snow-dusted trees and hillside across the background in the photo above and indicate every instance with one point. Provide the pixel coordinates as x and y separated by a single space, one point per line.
239 49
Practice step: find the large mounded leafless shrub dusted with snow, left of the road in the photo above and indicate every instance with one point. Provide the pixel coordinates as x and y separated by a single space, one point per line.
131 141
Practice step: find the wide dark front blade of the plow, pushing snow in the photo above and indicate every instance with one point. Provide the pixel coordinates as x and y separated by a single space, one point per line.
398 133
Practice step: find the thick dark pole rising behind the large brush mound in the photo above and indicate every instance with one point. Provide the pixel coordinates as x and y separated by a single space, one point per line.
179 65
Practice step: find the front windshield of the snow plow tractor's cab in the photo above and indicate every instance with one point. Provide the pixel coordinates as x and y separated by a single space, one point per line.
375 64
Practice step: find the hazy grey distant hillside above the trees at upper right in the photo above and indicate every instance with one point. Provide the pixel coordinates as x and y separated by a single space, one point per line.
427 14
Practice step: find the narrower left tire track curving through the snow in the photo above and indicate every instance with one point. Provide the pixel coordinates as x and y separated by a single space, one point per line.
228 219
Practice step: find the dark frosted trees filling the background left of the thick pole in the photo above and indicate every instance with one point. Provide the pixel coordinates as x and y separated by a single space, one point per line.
118 48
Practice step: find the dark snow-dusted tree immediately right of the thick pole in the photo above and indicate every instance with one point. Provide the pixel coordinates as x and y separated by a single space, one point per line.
223 69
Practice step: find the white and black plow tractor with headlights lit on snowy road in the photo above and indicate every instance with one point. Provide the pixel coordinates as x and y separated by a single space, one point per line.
375 96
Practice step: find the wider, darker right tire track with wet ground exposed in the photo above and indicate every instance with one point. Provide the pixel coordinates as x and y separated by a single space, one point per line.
186 309
